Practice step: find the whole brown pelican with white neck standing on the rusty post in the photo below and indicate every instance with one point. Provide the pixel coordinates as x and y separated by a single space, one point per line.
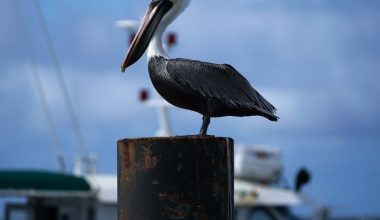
213 90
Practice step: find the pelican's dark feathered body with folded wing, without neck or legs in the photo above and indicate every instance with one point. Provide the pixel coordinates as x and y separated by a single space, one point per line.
210 89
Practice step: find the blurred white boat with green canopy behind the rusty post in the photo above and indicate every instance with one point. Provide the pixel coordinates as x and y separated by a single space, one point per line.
54 195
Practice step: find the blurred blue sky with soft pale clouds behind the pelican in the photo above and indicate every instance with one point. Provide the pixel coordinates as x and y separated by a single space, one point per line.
317 61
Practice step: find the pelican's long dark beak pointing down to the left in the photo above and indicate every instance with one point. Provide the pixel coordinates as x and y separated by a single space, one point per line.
156 11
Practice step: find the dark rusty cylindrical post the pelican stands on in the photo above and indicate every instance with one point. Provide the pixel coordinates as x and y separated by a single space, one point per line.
182 178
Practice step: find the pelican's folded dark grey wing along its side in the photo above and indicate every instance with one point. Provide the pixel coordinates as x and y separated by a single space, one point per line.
220 81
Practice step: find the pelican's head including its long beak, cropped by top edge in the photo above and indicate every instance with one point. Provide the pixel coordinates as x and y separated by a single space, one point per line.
159 13
